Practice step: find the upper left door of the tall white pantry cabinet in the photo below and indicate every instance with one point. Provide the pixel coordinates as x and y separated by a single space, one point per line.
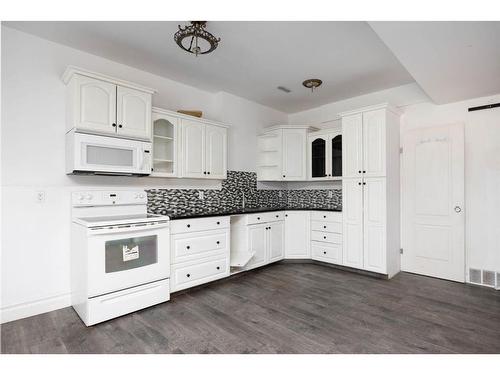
352 128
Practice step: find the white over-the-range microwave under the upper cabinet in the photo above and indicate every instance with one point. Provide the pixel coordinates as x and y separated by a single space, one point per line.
98 154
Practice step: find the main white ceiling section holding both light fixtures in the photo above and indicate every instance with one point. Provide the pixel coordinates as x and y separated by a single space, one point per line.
253 58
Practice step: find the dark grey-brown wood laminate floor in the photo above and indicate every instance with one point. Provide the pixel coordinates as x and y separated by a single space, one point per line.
285 308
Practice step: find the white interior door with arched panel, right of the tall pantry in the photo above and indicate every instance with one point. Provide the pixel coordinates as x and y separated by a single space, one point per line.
433 202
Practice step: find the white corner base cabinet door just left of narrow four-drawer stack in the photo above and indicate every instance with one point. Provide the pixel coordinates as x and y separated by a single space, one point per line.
297 235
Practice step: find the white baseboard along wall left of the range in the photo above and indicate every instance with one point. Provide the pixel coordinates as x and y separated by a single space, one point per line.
24 310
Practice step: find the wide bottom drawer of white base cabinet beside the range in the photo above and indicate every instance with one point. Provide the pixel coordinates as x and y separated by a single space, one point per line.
190 274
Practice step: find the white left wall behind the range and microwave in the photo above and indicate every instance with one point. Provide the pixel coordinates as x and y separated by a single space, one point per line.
35 242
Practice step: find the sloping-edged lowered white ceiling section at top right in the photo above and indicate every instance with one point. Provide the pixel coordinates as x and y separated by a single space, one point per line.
451 61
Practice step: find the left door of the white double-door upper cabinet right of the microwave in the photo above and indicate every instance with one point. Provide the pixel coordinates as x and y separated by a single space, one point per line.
193 149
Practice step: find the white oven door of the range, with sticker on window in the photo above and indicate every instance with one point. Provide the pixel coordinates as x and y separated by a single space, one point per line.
125 257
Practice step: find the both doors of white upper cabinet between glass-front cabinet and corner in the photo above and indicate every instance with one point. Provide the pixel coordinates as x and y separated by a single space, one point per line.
204 150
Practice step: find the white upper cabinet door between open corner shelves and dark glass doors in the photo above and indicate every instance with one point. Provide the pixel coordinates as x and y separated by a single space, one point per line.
294 155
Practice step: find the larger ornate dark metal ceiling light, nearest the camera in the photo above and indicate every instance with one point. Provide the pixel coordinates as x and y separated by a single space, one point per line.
195 39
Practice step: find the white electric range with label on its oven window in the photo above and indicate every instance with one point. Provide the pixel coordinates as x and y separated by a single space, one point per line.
120 254
